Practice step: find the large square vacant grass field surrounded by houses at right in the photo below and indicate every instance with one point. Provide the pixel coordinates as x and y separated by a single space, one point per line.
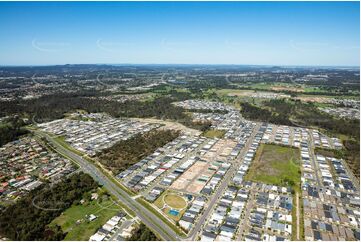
276 165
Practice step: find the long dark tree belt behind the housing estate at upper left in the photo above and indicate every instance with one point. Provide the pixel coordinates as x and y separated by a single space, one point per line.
50 107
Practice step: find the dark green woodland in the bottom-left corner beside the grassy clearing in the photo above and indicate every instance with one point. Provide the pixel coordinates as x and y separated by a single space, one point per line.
29 217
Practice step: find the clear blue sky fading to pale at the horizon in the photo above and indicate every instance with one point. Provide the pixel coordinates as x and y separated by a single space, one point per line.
256 33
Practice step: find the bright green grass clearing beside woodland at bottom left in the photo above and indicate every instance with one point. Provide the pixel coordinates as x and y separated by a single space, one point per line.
78 227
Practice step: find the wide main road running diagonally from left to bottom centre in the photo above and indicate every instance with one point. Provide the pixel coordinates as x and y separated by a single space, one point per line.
147 217
